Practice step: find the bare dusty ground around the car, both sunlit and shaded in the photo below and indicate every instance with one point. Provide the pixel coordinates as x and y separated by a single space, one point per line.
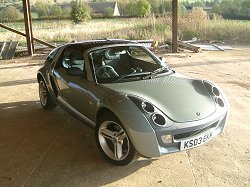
52 148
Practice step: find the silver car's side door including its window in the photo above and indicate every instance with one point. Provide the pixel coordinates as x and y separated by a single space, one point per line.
73 86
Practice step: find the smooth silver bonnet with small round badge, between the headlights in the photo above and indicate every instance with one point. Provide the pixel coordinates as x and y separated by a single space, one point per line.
180 98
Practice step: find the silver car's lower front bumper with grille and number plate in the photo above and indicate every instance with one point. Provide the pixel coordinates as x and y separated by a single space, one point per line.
192 135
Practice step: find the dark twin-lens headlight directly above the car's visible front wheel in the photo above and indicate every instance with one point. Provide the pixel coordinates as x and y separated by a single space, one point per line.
153 114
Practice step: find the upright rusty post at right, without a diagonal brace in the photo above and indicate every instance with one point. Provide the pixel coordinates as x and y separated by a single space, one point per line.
174 26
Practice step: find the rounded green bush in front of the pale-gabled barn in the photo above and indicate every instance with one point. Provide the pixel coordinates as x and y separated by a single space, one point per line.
80 11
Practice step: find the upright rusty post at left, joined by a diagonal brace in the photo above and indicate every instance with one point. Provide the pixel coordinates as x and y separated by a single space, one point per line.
28 26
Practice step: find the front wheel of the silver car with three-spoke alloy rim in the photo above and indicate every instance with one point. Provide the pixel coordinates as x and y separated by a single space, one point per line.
113 141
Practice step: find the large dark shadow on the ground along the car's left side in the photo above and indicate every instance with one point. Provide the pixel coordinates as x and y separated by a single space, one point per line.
47 148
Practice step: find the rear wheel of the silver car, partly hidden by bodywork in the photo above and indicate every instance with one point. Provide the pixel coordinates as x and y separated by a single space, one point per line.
45 98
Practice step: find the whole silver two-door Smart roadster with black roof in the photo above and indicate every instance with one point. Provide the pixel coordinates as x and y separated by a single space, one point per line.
137 105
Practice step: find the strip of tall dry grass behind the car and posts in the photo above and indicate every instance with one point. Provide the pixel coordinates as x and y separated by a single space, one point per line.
195 24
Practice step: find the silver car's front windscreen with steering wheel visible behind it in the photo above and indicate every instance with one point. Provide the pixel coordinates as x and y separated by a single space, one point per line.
123 63
